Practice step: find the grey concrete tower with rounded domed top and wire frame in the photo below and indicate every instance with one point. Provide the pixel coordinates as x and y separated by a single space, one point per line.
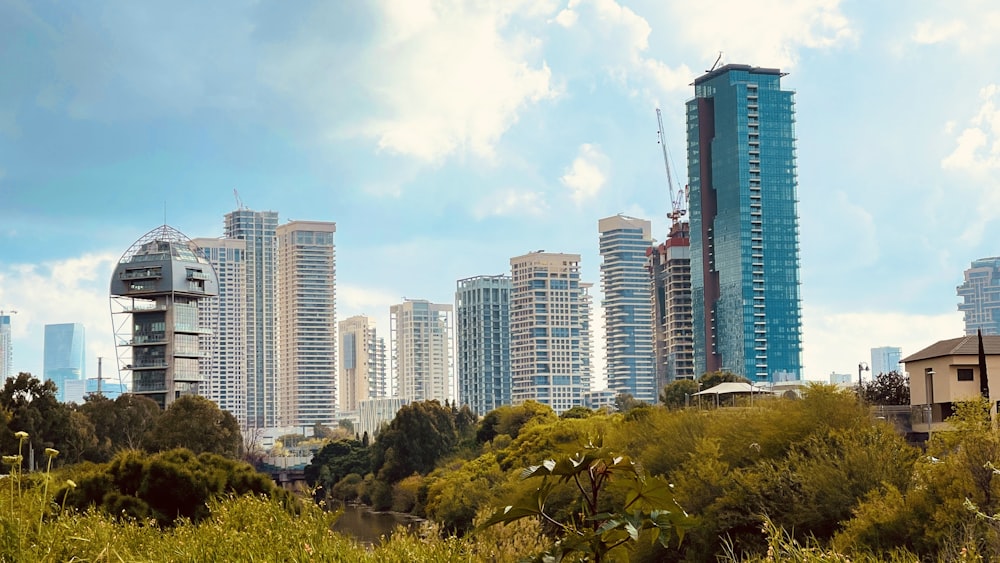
155 291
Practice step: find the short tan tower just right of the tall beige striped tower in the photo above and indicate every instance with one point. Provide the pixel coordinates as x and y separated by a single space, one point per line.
362 362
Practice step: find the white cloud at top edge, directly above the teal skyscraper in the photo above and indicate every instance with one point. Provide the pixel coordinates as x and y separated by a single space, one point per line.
768 33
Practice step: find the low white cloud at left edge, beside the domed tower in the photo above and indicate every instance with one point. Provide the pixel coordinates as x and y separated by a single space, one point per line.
66 291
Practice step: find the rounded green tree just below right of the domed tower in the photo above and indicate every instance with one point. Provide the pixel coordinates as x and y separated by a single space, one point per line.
197 424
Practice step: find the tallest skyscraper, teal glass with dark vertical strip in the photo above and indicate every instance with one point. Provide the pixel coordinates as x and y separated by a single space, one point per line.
744 225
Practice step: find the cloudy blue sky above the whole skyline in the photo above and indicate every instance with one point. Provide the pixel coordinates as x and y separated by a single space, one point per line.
444 137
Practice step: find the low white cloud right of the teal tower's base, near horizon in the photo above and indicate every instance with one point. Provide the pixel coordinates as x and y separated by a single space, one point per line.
837 340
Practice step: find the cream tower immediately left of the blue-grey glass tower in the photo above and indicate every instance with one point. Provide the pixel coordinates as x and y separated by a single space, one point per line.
421 339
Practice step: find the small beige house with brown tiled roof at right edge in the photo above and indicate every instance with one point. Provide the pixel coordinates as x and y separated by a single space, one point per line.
948 372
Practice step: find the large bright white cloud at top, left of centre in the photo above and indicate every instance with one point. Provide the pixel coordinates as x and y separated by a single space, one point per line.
449 80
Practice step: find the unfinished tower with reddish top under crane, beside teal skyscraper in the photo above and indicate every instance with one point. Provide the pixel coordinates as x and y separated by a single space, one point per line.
673 329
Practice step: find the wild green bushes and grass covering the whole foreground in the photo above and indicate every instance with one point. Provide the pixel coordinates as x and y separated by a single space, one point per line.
818 478
